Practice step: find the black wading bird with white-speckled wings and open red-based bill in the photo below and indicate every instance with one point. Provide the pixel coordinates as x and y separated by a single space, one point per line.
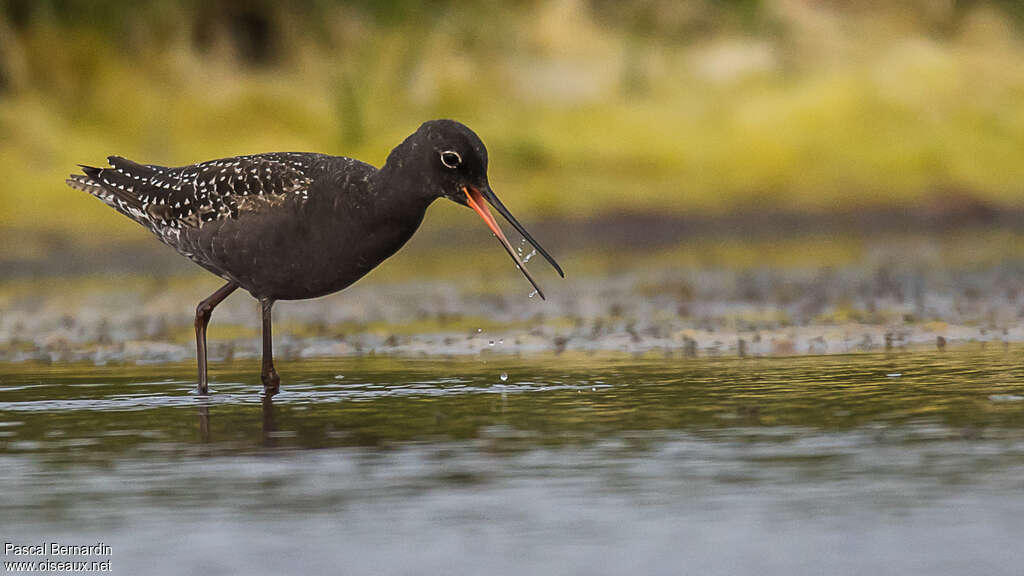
296 226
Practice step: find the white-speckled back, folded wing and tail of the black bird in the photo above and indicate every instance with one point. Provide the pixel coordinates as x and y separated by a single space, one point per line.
214 211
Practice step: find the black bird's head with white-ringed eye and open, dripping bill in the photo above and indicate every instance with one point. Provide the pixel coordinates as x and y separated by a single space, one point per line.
455 162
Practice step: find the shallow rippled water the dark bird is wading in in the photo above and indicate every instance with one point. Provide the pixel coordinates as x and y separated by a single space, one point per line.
575 465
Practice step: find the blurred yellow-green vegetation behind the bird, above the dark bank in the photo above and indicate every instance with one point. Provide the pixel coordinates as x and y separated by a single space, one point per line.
588 108
